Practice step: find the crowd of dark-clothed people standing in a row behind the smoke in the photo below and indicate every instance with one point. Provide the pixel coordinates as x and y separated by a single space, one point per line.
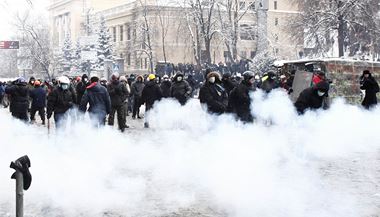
124 95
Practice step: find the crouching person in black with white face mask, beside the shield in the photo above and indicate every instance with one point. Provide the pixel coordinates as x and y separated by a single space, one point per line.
312 97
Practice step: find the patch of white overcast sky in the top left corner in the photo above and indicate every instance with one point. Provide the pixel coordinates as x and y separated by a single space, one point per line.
10 7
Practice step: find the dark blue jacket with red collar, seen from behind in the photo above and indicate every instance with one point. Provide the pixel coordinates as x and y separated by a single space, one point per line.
97 96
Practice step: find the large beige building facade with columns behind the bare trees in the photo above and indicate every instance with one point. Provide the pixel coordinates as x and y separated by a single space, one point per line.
145 32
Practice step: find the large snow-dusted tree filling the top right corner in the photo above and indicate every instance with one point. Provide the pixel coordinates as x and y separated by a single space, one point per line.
350 22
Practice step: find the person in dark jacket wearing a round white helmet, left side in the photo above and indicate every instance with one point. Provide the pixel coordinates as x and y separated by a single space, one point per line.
60 101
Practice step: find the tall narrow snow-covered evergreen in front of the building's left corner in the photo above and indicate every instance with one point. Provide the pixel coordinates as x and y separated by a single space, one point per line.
104 47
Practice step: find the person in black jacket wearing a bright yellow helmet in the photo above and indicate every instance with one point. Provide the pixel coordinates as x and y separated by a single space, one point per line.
150 94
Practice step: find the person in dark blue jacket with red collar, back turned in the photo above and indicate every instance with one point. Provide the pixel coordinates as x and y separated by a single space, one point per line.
99 100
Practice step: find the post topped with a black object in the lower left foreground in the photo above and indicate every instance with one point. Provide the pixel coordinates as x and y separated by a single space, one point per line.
23 181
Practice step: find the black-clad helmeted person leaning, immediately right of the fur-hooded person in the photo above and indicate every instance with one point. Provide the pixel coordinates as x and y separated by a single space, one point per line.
240 101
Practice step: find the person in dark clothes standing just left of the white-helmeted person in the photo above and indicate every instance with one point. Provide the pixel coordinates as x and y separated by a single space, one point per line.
38 95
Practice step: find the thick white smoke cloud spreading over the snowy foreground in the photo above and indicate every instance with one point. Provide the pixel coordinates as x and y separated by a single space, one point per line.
322 164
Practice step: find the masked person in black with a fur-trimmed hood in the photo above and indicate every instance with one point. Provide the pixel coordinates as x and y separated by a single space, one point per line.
213 95
